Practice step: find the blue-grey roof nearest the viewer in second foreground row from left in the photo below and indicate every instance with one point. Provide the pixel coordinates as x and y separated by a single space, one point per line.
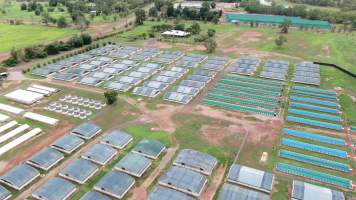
55 189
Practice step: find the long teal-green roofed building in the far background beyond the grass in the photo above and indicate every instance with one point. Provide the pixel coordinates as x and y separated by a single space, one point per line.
276 20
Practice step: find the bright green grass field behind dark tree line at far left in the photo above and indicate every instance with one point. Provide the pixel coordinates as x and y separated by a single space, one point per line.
18 36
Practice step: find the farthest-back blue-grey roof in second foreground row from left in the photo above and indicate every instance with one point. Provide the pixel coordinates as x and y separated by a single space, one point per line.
117 139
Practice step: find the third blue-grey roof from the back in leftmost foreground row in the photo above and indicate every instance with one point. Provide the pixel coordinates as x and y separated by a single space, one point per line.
46 158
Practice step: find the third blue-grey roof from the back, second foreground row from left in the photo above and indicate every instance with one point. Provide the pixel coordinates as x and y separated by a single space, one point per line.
79 170
